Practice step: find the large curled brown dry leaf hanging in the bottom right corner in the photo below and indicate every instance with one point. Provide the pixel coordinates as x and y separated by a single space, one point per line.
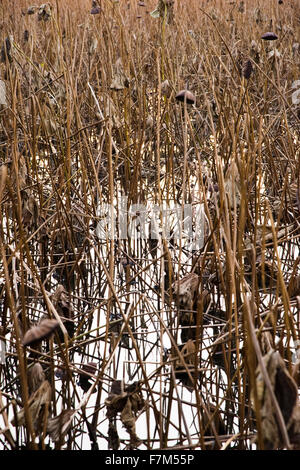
286 393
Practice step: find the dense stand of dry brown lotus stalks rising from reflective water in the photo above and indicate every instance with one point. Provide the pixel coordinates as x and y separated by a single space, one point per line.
69 142
